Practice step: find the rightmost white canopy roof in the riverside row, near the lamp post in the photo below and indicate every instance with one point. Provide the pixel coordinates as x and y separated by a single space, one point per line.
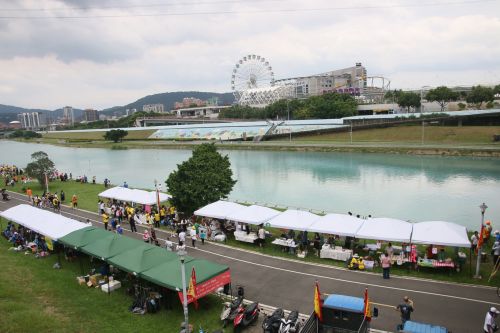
440 233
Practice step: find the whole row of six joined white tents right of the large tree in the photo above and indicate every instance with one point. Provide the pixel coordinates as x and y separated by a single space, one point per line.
383 229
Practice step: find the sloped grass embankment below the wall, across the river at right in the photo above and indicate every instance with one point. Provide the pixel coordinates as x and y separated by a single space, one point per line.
411 134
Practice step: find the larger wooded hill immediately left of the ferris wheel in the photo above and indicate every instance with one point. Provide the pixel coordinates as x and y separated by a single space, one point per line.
168 100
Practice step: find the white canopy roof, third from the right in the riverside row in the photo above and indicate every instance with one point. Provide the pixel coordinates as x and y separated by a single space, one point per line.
337 224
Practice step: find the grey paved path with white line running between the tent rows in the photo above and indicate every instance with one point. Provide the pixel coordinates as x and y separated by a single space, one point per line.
289 284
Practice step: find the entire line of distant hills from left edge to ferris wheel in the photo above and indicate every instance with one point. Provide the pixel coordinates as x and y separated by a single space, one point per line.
9 113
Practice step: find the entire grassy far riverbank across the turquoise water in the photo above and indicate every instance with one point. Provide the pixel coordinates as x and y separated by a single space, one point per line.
402 139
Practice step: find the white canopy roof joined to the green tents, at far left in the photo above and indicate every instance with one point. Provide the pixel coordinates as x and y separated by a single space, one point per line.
42 221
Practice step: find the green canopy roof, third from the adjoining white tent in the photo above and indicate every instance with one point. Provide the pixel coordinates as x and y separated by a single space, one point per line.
142 258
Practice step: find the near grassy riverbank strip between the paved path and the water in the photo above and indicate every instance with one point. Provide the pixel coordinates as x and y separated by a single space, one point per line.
87 194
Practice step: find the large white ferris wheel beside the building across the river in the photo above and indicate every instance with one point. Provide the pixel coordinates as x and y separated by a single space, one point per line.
250 72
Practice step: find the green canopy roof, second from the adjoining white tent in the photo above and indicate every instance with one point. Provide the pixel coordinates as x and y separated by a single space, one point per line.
111 246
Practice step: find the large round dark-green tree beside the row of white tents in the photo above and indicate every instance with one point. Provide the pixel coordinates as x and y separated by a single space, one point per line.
204 178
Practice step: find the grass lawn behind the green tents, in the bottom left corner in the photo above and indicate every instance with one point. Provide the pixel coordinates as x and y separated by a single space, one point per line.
34 297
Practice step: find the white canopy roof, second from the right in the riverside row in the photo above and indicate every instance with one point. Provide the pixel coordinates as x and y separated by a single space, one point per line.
386 229
